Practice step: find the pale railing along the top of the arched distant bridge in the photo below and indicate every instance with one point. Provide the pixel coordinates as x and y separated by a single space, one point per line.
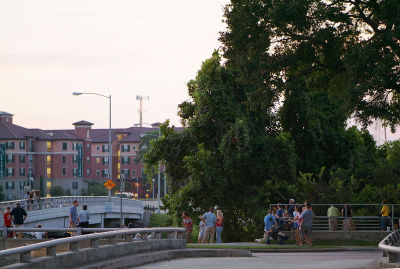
67 201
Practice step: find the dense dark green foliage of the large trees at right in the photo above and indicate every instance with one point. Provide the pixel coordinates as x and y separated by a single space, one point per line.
267 118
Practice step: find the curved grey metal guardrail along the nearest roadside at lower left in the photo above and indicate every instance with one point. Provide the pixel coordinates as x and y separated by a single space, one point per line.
126 235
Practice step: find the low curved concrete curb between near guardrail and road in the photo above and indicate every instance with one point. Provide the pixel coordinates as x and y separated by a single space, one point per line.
158 256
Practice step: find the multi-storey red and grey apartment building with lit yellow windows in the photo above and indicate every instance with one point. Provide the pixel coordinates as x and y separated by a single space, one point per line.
42 159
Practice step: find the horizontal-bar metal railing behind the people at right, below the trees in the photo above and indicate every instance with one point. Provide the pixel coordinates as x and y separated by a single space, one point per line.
359 222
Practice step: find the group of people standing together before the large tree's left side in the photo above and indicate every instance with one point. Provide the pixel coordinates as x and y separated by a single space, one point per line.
211 225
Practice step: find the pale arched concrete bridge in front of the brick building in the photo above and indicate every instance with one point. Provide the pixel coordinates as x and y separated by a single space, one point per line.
53 211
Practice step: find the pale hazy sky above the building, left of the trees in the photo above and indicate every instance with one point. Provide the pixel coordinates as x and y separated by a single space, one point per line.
49 49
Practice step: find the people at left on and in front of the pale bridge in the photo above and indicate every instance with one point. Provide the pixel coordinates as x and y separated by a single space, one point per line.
16 217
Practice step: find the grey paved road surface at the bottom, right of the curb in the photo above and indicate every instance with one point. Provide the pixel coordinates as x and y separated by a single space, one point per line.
308 260
